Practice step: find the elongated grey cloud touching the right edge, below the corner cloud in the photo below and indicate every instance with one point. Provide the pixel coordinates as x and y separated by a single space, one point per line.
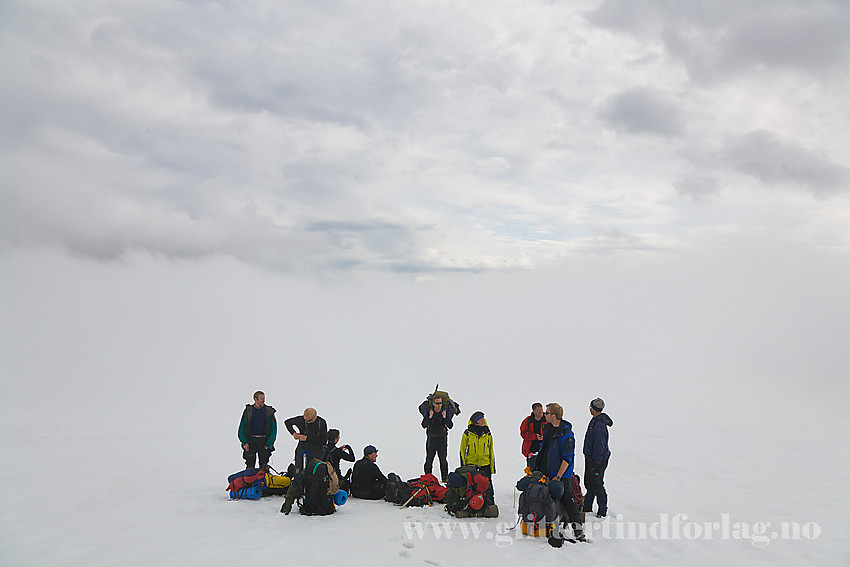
774 161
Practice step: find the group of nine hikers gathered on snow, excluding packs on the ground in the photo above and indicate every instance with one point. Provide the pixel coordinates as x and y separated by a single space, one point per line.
548 444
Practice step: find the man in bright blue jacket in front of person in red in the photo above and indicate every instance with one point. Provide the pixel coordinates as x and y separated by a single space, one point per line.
556 460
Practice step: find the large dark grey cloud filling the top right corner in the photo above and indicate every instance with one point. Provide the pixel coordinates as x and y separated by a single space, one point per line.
720 38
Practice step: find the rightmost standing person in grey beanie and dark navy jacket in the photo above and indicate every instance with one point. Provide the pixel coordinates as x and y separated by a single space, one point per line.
596 455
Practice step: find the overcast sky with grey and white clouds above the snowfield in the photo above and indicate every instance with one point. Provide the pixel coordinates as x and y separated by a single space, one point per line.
423 136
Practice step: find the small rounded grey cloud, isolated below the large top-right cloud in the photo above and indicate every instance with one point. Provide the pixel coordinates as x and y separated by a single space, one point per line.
642 110
